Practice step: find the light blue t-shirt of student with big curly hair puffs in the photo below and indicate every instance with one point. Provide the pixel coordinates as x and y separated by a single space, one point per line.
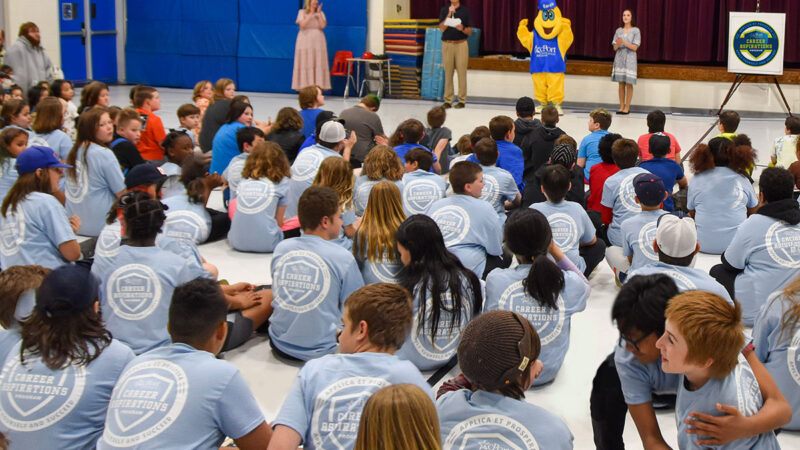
720 198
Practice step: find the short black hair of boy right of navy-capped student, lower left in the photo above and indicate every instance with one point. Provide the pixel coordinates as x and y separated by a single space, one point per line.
196 310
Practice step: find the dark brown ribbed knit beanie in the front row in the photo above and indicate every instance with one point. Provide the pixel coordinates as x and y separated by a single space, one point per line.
496 348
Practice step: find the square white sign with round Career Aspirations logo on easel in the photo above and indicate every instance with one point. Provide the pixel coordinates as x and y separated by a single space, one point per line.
756 42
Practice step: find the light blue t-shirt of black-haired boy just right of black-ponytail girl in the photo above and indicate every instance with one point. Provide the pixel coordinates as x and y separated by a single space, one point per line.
570 226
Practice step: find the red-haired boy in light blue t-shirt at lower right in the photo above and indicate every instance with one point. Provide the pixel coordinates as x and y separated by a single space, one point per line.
703 335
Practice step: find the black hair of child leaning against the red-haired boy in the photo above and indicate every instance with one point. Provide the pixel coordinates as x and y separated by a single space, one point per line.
642 302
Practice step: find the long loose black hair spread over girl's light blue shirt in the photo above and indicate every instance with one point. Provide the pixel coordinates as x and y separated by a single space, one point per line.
434 269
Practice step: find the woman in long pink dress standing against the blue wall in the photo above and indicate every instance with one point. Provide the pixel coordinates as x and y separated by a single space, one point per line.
311 49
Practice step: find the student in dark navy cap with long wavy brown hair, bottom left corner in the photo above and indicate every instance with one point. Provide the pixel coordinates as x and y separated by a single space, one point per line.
67 353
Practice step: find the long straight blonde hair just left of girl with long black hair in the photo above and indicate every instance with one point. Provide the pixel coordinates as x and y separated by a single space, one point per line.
377 235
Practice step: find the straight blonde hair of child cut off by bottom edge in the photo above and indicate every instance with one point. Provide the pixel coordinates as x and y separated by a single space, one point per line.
400 416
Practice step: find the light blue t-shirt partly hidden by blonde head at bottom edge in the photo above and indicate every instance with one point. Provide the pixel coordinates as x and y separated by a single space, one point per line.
325 403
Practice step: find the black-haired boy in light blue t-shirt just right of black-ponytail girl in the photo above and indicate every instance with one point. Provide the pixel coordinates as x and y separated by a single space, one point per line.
572 230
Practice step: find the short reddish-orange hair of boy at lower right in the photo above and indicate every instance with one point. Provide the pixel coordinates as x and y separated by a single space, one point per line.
711 327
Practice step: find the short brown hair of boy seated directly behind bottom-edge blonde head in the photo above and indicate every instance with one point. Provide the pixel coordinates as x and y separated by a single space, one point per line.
387 310
